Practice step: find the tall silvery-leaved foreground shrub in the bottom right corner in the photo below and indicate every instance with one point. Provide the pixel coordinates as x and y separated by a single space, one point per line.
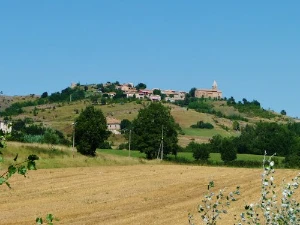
269 210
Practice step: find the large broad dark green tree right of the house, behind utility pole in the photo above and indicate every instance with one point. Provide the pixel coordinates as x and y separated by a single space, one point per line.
147 131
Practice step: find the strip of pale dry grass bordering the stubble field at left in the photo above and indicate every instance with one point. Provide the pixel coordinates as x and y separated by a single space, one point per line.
64 157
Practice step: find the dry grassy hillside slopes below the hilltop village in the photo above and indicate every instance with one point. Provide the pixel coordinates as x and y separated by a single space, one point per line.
61 115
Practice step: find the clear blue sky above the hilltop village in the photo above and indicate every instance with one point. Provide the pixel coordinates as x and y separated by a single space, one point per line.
251 48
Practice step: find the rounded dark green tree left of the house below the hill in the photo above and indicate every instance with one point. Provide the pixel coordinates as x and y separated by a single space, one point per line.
90 131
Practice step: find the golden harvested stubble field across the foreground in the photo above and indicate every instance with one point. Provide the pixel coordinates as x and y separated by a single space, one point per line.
139 194
